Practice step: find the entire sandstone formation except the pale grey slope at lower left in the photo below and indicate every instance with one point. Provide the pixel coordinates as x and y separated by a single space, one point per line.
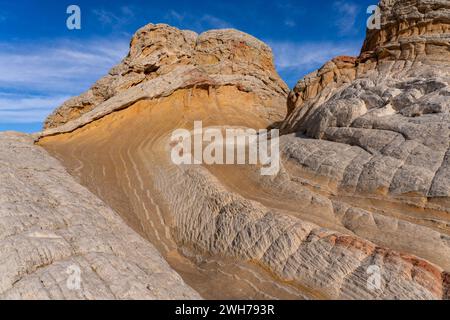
365 172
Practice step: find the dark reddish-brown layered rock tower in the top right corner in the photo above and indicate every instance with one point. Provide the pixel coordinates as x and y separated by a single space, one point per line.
411 29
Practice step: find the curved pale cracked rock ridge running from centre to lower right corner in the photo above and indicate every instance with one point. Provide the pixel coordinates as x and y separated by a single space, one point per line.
331 264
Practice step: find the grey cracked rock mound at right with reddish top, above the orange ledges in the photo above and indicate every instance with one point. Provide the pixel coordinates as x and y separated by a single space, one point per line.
387 112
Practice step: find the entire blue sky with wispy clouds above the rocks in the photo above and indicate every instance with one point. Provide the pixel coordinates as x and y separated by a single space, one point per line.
42 63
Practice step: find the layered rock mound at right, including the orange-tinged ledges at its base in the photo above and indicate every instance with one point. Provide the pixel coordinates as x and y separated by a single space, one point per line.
380 125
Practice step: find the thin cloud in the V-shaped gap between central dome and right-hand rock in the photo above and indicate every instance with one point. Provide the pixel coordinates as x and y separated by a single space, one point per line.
295 60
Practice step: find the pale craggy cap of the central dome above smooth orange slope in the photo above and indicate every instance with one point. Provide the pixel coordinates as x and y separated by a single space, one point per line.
163 59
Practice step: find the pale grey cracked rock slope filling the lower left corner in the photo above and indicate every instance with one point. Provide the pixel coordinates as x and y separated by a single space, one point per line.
51 228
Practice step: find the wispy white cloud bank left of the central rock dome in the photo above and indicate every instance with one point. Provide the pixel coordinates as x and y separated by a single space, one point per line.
34 82
